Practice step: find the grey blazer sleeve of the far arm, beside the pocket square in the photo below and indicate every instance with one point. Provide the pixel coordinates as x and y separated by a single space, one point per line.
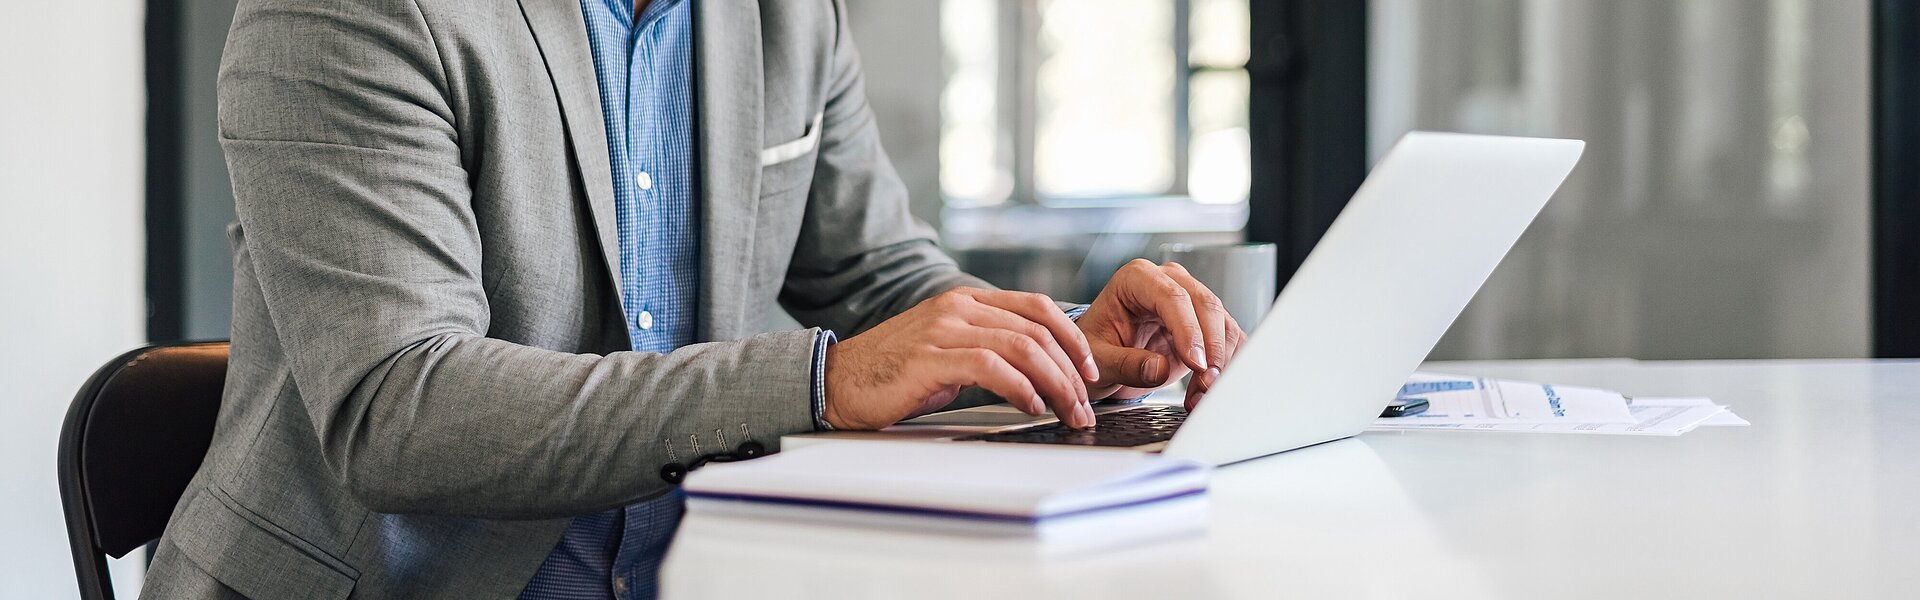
861 255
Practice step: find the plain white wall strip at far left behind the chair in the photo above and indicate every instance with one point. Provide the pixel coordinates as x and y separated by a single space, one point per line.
72 114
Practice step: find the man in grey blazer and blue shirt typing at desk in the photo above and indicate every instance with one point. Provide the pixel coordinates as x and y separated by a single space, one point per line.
502 272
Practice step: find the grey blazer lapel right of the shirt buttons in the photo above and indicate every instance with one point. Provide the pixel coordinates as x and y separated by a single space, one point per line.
731 101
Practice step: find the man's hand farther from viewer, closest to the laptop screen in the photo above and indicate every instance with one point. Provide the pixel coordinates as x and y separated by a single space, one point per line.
1155 324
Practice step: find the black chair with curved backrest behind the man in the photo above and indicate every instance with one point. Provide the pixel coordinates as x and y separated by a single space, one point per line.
133 439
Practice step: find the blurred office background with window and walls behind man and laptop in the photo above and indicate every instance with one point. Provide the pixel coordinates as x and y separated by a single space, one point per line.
1733 201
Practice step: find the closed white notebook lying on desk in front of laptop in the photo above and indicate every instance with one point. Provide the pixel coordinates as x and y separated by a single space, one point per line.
928 484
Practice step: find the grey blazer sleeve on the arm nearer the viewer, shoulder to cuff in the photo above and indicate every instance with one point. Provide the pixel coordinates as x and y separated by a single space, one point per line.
356 207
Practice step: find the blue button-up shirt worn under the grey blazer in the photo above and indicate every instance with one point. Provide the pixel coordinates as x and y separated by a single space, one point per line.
646 80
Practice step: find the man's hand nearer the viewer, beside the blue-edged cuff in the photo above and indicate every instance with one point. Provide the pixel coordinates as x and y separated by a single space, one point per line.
1015 345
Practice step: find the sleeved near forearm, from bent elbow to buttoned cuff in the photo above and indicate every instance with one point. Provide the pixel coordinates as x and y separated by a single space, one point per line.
471 426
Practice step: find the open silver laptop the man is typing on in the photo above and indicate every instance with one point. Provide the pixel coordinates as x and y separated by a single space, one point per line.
1372 301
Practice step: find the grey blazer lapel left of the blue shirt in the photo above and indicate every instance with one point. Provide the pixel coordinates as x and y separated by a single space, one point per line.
562 34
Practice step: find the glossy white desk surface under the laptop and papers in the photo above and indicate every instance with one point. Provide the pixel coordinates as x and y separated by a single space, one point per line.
1819 499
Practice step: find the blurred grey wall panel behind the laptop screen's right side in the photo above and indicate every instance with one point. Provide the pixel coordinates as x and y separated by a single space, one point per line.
1723 203
